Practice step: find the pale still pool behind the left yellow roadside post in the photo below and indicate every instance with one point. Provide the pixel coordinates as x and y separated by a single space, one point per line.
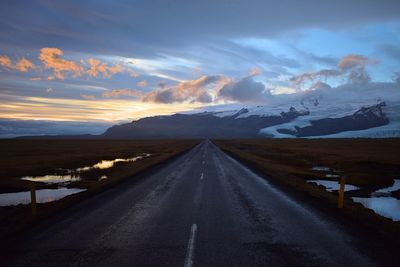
42 196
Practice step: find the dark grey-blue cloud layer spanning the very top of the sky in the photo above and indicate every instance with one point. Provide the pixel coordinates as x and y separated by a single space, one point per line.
147 28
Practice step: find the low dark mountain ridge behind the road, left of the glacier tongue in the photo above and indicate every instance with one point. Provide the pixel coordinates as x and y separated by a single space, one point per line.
201 125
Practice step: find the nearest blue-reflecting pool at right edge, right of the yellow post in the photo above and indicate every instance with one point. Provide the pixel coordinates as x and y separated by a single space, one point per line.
385 206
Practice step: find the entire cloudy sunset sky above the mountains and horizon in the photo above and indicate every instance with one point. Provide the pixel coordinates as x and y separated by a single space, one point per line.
114 61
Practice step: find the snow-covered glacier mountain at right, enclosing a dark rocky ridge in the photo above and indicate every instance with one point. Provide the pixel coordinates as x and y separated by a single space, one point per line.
372 111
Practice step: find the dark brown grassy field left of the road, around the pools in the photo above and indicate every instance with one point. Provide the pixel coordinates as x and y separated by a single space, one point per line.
21 158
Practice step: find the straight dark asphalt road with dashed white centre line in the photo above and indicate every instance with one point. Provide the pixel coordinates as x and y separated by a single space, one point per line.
201 209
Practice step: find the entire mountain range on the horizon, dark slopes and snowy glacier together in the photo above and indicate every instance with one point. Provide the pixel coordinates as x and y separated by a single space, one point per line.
359 112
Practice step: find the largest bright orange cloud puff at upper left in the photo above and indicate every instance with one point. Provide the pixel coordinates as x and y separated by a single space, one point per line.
51 59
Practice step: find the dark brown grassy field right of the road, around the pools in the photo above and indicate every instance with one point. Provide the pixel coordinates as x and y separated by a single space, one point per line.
367 163
